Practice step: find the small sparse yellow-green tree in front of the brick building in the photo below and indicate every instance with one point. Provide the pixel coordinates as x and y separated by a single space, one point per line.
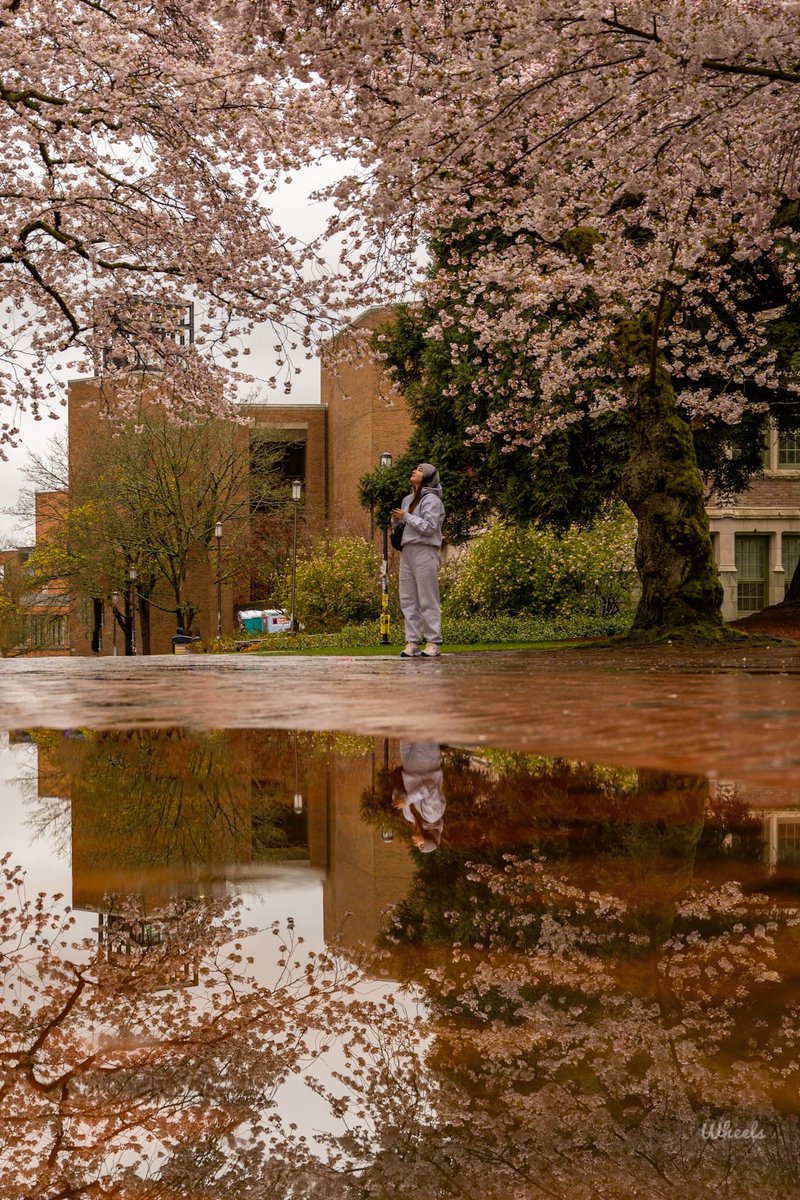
152 501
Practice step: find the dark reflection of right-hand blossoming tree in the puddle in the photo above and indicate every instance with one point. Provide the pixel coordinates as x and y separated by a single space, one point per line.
597 1000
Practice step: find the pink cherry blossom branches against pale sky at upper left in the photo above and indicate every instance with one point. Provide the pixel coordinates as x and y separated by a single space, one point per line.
140 152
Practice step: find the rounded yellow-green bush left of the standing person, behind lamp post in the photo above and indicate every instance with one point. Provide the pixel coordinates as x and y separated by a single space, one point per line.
338 581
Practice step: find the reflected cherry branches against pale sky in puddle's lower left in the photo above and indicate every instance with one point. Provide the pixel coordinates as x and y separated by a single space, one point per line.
147 1064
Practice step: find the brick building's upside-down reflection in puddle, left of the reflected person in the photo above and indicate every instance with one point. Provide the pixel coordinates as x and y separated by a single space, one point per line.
165 814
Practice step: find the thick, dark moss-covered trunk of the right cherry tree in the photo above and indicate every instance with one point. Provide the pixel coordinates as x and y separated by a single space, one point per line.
664 489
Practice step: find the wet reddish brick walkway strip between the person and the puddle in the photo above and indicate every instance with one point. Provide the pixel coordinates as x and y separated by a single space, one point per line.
724 715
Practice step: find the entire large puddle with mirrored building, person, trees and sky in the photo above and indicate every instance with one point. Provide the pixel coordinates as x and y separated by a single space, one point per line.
598 975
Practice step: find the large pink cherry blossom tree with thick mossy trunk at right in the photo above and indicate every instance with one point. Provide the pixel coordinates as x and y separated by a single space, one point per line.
613 189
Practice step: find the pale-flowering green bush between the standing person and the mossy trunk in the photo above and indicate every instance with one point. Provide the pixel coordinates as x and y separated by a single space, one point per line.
518 569
